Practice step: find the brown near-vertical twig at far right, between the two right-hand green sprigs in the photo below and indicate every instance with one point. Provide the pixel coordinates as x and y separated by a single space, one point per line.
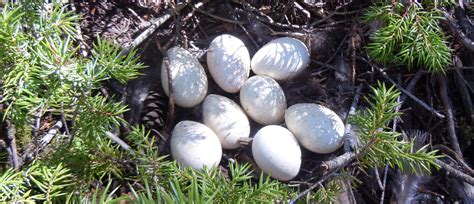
443 89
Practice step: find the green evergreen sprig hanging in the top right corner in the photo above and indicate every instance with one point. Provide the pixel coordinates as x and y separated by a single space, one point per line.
410 36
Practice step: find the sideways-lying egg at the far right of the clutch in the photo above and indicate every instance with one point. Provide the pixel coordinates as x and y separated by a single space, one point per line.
316 127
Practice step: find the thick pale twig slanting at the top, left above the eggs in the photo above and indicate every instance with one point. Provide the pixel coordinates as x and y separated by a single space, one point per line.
154 24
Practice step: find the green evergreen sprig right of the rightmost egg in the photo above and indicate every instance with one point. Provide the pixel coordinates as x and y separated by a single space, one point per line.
383 145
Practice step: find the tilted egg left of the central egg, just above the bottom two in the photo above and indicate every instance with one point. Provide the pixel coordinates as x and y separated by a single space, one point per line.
226 119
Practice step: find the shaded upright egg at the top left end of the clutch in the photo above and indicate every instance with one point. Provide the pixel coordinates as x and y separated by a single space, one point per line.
189 80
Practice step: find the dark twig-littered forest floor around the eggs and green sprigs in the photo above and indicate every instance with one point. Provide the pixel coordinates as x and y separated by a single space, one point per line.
437 107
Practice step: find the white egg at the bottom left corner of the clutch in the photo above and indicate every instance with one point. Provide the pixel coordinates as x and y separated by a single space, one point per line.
195 145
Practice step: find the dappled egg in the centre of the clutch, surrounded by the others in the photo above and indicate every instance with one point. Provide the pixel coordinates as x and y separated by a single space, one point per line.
263 100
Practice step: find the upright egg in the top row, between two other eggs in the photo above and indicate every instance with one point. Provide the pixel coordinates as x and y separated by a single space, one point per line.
228 61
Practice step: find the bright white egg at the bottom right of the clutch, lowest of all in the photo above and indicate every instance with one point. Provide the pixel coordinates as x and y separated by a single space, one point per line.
276 152
